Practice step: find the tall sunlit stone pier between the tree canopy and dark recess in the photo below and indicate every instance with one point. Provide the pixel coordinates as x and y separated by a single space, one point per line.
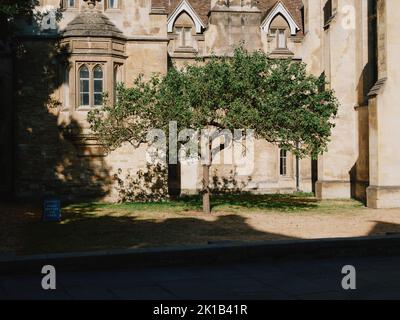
332 50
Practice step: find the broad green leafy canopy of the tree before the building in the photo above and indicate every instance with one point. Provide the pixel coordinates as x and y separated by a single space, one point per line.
276 98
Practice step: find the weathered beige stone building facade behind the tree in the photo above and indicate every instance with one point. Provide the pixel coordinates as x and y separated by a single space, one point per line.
83 48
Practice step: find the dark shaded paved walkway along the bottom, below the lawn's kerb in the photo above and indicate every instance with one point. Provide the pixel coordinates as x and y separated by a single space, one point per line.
377 278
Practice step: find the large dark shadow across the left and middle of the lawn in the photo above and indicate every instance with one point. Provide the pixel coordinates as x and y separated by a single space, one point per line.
91 228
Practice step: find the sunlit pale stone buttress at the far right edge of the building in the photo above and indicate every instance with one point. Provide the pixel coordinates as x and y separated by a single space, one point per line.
384 119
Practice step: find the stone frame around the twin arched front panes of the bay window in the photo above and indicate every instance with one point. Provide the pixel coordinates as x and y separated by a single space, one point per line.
91 65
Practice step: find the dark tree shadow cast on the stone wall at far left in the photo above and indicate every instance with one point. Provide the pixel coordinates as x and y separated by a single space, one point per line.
47 162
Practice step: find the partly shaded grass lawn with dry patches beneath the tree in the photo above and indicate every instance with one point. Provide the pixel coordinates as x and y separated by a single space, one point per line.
99 226
